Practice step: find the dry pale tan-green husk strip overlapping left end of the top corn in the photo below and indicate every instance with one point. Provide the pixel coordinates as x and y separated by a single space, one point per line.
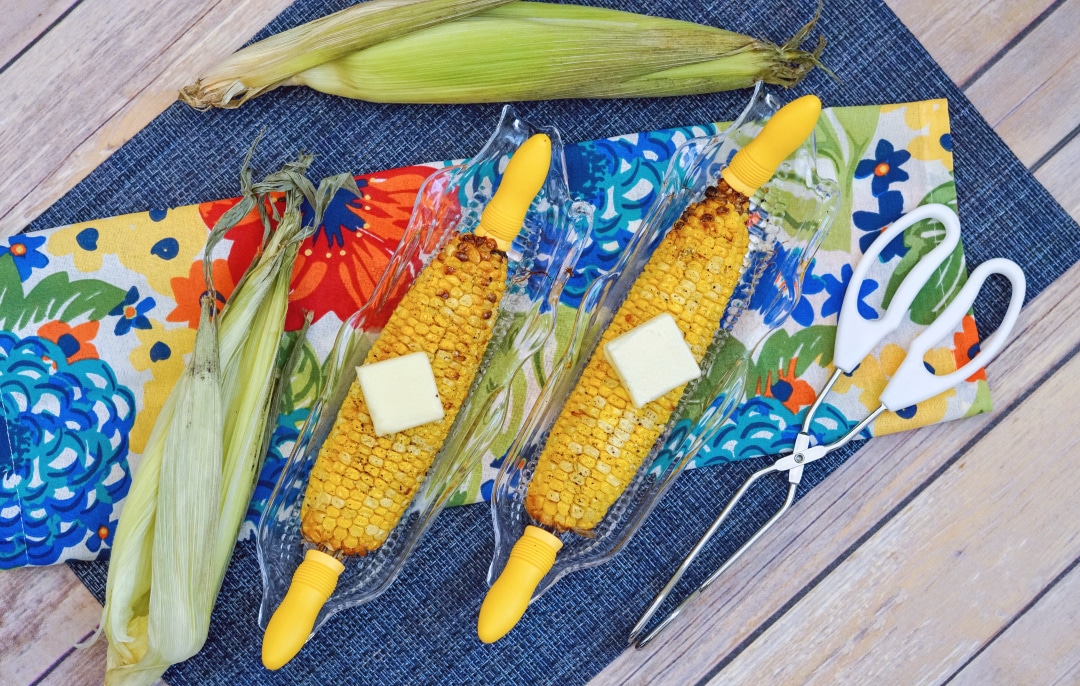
265 65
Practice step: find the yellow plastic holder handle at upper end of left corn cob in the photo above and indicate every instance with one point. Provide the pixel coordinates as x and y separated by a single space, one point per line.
525 176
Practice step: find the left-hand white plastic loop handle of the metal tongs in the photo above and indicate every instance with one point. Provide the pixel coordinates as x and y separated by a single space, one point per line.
856 337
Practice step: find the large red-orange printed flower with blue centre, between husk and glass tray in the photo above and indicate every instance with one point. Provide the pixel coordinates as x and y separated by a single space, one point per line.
337 268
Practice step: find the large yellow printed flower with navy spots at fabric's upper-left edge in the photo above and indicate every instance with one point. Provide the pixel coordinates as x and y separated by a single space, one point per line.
159 245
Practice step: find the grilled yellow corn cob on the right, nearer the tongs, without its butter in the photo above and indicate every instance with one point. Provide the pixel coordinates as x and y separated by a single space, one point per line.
692 277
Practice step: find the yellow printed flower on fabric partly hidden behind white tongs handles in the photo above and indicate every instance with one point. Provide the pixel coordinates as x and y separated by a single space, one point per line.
874 373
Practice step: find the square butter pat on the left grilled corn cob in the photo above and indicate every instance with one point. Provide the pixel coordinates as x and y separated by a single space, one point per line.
400 394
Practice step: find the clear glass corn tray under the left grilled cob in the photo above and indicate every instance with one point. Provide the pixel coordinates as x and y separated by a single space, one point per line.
542 260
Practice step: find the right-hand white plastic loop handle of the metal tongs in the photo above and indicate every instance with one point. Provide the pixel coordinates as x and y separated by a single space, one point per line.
914 383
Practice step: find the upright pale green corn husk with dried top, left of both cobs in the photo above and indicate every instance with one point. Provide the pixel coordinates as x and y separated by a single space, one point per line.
164 582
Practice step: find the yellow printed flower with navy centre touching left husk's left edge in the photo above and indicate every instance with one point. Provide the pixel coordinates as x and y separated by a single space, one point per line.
161 351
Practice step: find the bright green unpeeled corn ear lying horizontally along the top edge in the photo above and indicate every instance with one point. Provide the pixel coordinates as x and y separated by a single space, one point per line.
530 51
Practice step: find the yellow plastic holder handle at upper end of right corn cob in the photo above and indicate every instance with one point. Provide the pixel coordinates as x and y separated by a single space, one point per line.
782 134
